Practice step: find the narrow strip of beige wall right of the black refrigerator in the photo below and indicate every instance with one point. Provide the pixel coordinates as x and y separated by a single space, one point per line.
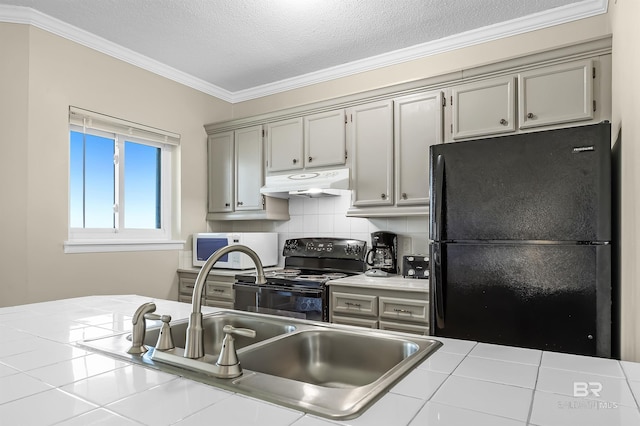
626 116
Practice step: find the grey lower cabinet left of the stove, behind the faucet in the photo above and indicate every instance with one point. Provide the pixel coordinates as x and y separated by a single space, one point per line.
218 290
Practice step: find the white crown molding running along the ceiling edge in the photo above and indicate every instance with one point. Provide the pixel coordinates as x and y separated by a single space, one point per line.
557 16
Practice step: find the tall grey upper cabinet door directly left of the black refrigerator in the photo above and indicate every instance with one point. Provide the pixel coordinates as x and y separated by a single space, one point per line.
417 125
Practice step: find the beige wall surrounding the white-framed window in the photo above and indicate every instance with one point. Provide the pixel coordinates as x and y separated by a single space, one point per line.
45 75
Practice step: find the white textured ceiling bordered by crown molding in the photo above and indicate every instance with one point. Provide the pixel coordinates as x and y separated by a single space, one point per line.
240 46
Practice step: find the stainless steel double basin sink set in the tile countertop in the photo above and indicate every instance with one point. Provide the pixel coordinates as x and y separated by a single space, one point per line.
325 369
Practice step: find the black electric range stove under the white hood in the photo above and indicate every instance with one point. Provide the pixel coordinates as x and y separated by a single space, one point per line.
299 290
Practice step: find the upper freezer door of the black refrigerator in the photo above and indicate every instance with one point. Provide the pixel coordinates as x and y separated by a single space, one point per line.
551 185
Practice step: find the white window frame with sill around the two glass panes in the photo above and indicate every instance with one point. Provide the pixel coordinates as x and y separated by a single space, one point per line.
83 240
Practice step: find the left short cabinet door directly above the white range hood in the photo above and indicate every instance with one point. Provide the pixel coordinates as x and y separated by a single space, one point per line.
284 145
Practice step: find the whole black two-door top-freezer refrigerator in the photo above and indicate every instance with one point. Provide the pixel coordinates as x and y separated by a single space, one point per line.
520 230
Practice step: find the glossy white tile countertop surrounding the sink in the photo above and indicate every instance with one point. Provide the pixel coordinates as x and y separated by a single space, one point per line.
45 379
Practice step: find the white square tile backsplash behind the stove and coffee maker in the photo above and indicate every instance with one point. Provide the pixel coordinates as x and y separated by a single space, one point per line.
326 217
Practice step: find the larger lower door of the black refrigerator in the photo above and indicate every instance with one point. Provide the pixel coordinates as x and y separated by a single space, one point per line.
544 296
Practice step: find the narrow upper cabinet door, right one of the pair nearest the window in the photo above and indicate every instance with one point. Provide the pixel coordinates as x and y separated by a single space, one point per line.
249 172
